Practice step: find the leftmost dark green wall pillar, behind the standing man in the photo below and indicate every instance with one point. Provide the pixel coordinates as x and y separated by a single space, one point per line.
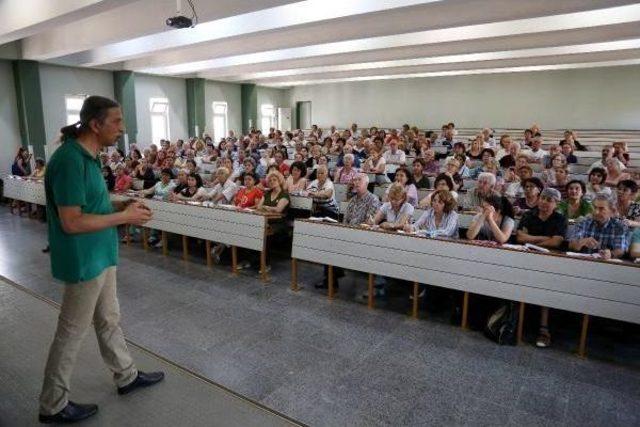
26 76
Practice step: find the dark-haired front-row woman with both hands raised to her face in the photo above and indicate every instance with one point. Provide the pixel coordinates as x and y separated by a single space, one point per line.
494 222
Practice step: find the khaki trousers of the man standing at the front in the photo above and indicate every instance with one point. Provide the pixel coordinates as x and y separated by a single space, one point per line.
83 302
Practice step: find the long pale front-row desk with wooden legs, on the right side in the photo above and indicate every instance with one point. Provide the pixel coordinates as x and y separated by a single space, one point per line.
580 285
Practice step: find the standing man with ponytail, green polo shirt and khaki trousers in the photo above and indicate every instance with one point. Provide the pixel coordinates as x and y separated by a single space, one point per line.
84 255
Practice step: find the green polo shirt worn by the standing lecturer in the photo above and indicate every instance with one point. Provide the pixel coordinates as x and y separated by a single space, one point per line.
74 178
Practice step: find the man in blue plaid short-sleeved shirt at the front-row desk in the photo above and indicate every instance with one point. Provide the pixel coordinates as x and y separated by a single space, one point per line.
602 232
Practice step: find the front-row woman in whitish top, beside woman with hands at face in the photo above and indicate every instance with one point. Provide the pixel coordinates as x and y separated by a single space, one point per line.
441 219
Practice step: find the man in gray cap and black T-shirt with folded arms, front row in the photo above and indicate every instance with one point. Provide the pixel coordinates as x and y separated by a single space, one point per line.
543 226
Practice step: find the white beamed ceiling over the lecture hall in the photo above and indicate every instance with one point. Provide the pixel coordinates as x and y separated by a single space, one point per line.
284 43
